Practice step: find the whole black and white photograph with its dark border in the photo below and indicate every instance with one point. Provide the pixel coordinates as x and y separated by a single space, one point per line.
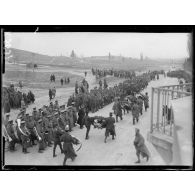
74 99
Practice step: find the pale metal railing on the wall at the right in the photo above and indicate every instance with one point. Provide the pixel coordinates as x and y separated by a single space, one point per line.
161 111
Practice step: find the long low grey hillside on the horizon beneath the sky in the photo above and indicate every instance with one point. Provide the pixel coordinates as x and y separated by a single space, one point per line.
103 62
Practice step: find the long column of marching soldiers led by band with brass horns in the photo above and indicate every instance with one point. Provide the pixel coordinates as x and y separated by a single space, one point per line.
50 124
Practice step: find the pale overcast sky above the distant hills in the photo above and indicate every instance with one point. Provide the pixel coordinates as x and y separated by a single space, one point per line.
153 45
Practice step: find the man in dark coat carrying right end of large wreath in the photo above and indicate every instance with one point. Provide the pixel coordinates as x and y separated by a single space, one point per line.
110 128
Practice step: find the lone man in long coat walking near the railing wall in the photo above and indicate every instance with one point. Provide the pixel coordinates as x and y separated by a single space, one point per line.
140 146
